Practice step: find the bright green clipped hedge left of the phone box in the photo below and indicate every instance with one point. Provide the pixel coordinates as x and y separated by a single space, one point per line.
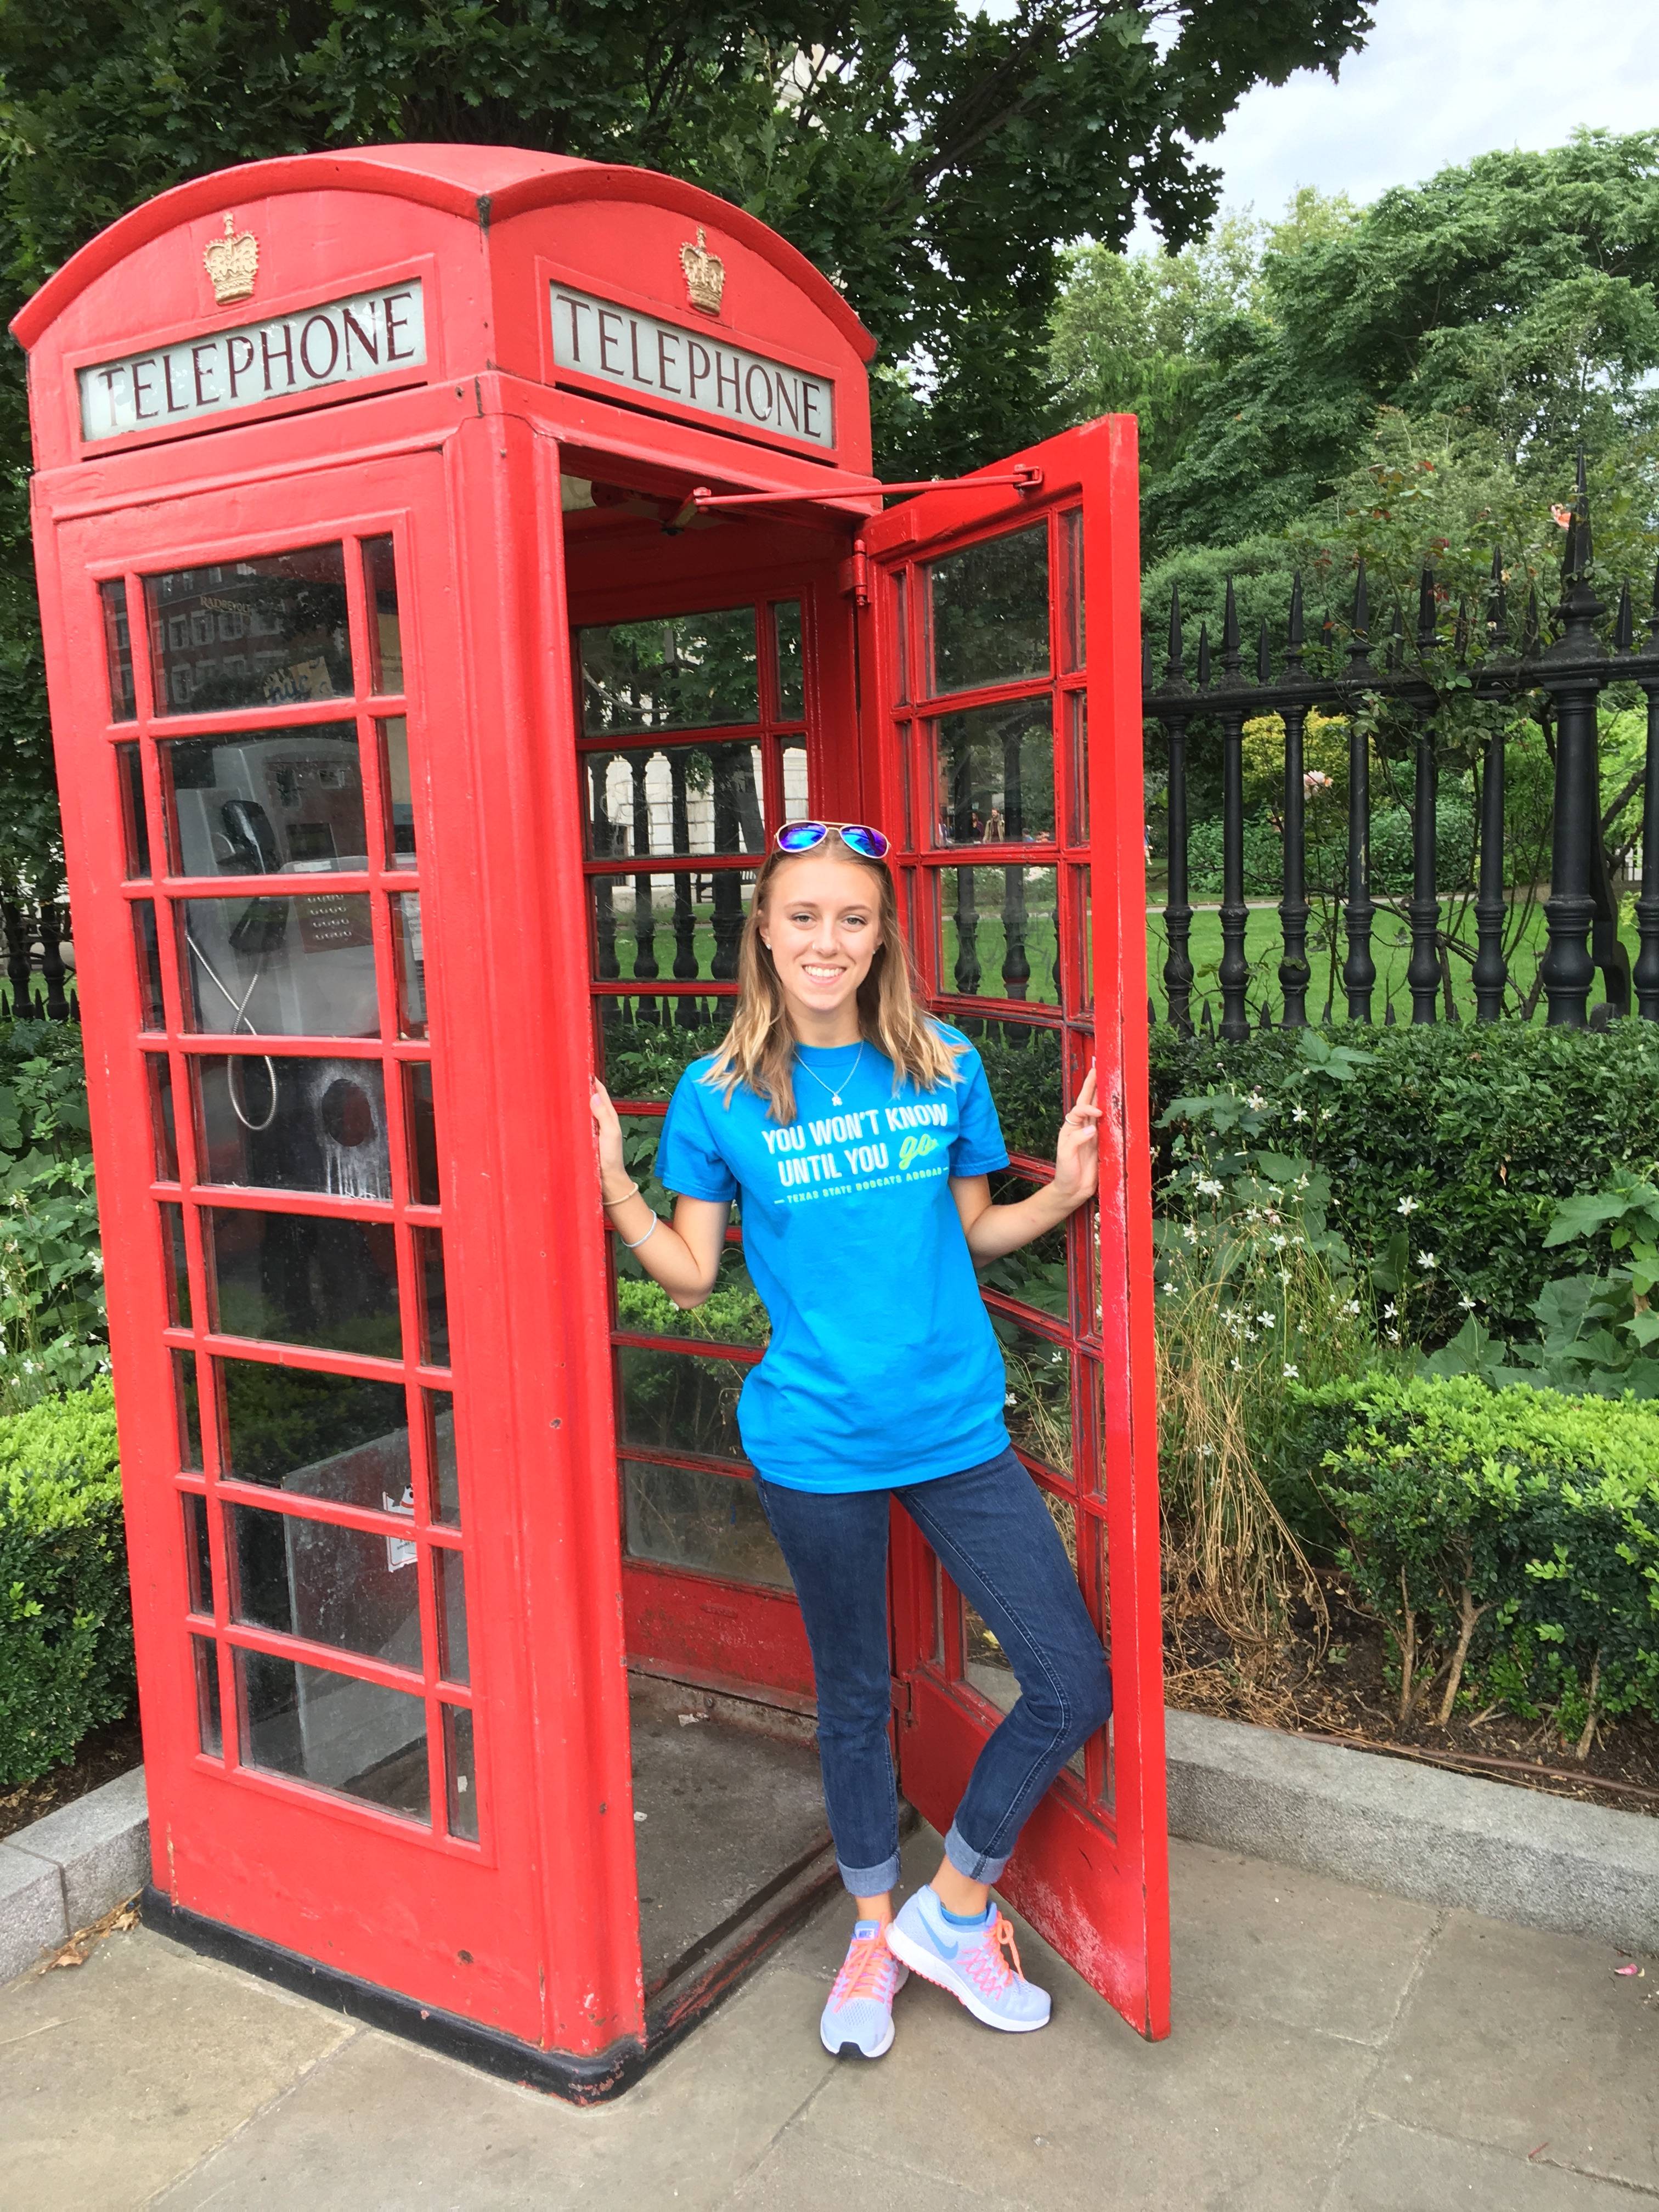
65 1611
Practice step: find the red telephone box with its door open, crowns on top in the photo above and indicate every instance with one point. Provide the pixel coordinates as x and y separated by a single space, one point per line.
419 735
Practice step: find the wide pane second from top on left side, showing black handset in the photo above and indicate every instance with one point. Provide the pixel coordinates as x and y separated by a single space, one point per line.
267 802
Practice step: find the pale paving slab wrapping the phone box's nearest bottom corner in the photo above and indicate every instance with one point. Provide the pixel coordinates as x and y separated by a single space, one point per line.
384 2127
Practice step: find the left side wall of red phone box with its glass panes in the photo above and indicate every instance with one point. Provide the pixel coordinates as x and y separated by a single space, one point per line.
320 1530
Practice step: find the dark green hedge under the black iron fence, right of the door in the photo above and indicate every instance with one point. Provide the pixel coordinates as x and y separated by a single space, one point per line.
1488 1129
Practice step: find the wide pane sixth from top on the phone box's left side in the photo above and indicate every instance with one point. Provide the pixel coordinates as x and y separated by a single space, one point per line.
326 1437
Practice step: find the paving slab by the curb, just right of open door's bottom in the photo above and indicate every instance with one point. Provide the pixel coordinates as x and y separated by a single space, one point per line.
1277 1943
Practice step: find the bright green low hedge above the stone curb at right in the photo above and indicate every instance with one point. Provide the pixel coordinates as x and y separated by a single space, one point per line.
1507 1538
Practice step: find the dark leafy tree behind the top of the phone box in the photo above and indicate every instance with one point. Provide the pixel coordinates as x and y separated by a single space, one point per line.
932 158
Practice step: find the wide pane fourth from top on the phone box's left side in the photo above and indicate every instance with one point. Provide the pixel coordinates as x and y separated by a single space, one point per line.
293 1125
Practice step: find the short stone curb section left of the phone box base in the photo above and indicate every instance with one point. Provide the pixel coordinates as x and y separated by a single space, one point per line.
67 1870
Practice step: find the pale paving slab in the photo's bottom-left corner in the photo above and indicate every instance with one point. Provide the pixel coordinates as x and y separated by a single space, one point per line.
121 2074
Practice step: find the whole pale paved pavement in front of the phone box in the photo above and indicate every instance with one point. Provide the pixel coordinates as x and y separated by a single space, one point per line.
1335 2052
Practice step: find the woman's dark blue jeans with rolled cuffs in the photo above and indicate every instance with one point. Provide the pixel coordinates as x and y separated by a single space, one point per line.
1001 1547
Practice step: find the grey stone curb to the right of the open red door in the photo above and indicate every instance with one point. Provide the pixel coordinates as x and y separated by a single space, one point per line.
1417 1833
